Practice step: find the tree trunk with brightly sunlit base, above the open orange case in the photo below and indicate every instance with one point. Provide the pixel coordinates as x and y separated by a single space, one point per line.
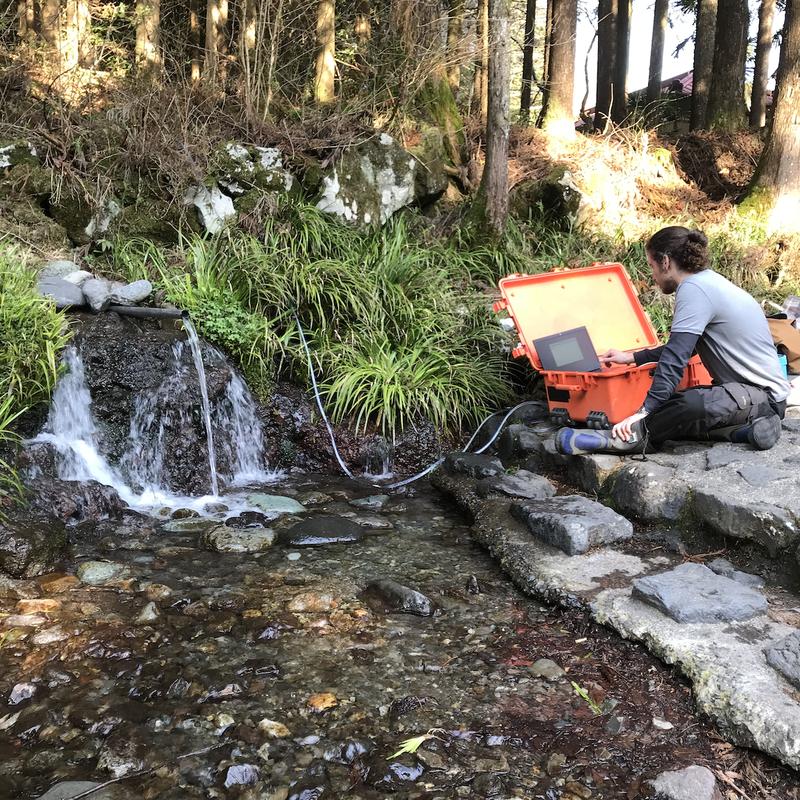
559 116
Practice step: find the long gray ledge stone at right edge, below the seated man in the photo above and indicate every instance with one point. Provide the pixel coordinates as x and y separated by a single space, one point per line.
735 515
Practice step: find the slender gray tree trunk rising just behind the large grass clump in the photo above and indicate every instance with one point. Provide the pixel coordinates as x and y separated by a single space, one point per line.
493 192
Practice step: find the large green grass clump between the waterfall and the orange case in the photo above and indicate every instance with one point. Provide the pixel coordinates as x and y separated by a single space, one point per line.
398 326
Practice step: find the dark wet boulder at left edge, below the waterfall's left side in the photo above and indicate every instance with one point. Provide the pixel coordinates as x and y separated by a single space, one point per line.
31 549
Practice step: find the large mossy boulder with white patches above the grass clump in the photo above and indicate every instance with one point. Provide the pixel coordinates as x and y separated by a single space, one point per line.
370 182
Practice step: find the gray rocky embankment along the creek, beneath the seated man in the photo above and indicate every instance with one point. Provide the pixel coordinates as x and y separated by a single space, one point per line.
733 634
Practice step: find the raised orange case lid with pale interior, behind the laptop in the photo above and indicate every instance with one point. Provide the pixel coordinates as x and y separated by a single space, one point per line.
600 297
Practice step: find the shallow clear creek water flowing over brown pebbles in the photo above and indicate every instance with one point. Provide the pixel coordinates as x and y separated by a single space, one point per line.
292 684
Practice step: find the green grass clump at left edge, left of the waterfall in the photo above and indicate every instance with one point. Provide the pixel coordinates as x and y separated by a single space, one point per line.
32 334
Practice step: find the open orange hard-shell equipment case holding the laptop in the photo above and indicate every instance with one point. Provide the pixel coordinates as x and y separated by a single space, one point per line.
602 298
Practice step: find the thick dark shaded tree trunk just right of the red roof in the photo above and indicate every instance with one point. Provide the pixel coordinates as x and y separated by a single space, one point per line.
726 109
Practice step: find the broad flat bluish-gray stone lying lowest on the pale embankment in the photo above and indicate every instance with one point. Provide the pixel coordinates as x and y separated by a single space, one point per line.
694 593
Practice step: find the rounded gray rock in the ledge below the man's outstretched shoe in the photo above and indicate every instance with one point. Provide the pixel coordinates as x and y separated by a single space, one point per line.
649 492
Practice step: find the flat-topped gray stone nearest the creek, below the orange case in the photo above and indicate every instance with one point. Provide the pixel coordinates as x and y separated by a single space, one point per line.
572 523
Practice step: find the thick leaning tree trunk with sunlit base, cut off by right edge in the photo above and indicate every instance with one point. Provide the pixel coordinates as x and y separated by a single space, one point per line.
774 189
